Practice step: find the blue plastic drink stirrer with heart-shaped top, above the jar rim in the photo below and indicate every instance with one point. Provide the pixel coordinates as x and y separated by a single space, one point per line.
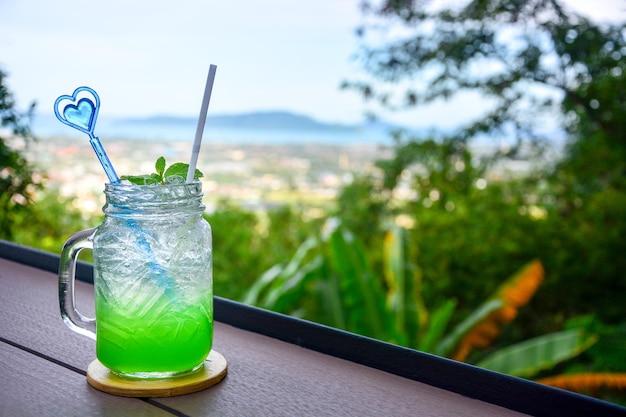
80 111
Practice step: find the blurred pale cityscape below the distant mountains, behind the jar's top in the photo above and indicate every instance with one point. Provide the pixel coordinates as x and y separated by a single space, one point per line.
255 176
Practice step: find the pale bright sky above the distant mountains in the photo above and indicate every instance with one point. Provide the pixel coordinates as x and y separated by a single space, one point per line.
151 57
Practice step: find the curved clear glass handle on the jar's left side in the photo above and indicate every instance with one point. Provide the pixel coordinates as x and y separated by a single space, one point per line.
67 276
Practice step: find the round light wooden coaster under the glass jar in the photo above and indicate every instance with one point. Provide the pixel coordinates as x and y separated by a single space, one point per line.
214 370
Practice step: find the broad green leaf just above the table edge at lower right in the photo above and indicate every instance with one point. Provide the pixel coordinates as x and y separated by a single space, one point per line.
531 356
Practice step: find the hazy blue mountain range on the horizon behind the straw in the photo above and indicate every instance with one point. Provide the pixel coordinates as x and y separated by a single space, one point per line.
271 120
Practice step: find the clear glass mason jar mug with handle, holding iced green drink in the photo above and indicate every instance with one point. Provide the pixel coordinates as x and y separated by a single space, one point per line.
152 278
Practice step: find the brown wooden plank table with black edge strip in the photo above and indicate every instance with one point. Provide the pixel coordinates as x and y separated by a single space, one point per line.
277 366
